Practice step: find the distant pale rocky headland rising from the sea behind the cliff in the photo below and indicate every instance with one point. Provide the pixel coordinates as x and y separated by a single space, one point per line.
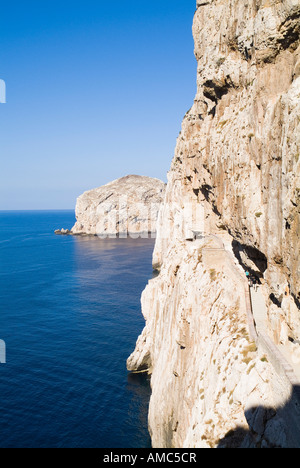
128 205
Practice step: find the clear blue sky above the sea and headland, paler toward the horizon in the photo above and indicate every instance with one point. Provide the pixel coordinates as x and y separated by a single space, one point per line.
95 90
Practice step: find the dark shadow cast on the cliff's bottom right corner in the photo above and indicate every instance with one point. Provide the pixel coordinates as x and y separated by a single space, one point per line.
268 427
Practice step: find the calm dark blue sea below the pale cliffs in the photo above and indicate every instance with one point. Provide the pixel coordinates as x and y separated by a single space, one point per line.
70 316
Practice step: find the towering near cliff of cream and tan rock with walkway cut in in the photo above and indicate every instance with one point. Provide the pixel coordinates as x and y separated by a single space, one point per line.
235 174
